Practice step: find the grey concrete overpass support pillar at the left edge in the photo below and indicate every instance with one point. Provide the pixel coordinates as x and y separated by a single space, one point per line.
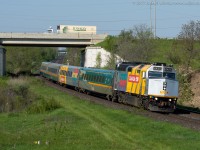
2 61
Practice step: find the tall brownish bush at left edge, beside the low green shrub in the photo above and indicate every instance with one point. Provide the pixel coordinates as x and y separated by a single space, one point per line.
15 96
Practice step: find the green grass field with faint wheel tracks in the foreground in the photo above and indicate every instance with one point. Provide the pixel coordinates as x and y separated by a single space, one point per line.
79 124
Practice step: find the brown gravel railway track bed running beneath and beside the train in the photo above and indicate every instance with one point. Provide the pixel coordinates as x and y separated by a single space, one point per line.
182 117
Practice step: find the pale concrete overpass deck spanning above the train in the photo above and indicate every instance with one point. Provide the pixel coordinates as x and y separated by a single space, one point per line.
50 39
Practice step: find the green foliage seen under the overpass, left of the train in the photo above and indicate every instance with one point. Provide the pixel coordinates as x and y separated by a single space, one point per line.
27 60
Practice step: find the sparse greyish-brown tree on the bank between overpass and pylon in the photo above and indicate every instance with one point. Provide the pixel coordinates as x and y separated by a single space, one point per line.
135 44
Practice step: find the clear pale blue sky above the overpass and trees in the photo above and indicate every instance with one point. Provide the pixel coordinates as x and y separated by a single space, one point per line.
109 16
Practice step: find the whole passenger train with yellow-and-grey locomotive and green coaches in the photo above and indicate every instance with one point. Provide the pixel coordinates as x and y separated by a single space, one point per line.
151 86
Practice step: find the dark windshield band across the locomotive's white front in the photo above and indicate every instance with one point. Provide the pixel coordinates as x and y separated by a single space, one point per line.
155 74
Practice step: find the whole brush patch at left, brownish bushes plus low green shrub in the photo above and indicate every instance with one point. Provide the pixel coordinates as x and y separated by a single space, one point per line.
17 96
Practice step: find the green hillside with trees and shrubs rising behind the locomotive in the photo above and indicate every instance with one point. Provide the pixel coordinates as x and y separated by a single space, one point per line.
138 44
